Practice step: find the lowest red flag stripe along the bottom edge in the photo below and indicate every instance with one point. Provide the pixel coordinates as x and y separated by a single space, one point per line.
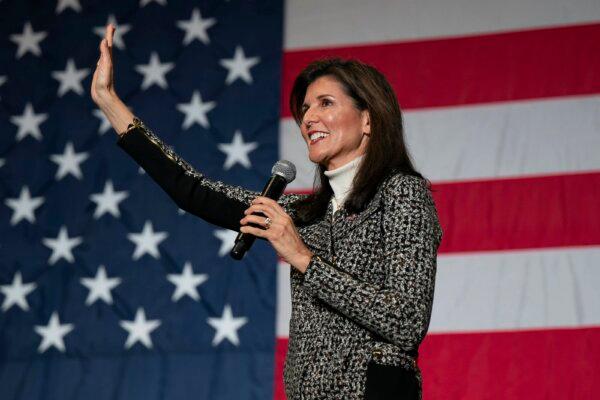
545 364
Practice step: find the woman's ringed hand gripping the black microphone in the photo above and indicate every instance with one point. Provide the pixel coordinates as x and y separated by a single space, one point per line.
281 233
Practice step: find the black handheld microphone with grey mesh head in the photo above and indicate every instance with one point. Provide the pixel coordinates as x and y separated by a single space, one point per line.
282 173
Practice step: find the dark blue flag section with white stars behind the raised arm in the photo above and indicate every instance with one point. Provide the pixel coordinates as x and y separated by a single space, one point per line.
109 291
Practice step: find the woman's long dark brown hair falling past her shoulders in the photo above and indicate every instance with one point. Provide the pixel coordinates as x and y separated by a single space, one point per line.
386 152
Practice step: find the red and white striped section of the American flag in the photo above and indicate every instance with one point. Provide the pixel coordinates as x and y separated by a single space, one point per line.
502 113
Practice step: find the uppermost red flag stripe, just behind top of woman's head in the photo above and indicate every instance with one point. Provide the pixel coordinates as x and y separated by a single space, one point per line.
526 64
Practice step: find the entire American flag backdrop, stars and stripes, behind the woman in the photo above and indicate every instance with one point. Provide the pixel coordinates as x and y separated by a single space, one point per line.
109 291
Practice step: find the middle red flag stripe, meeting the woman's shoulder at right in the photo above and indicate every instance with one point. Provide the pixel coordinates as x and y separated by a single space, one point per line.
518 213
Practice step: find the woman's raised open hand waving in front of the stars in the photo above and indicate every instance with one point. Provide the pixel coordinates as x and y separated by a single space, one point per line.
102 82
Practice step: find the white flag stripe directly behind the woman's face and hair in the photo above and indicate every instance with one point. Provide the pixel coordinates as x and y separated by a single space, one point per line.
486 141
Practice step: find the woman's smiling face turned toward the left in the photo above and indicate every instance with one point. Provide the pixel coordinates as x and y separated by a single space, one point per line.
334 130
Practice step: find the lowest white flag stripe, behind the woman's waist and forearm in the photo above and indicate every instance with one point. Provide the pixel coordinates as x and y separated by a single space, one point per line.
503 290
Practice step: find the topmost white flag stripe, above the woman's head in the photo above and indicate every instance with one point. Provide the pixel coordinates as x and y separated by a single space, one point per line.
318 24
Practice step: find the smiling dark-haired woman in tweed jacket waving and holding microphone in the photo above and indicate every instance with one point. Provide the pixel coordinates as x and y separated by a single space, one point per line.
363 246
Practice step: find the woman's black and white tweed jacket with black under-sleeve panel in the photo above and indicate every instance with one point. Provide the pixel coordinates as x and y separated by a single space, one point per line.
366 297
